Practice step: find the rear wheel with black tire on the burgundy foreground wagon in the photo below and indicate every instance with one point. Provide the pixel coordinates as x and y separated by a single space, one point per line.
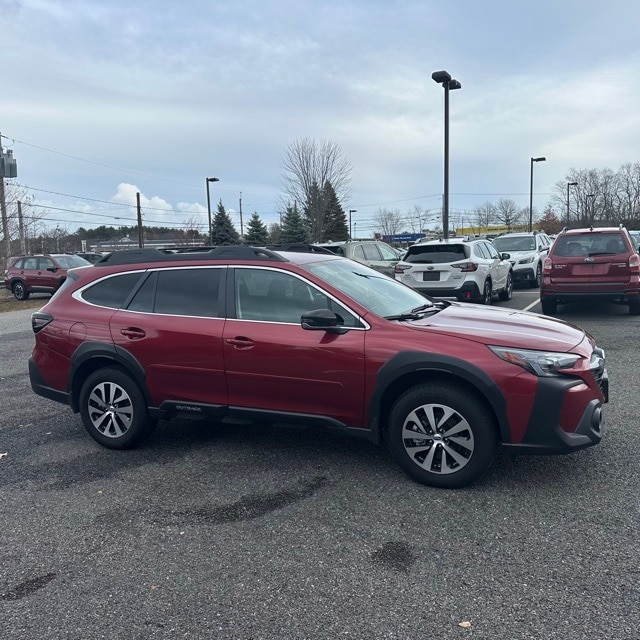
113 409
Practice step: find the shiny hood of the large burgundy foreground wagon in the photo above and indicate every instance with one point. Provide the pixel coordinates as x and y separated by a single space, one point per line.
503 327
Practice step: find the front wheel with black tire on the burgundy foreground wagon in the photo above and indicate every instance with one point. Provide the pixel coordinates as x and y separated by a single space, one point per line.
434 458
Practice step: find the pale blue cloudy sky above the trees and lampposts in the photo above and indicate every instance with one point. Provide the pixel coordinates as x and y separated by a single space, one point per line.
100 100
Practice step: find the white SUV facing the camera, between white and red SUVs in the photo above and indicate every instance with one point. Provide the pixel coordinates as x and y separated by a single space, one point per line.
527 251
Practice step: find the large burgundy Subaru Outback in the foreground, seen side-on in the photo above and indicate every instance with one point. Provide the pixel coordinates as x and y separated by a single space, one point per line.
243 333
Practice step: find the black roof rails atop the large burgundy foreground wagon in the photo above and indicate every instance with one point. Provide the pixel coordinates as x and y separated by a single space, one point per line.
171 254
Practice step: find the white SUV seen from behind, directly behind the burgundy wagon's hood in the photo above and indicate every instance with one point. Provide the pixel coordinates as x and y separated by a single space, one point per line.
469 270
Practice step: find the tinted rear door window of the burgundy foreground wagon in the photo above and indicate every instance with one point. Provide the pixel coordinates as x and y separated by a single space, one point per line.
188 292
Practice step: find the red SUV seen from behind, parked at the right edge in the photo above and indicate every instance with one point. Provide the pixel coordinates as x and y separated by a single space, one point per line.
592 264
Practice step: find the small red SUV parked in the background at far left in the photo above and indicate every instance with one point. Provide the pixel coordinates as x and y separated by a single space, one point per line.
39 274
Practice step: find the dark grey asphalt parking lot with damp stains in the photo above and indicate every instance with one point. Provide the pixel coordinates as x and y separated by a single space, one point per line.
254 533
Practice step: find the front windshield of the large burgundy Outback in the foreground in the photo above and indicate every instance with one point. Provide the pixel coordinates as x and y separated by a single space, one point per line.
375 291
